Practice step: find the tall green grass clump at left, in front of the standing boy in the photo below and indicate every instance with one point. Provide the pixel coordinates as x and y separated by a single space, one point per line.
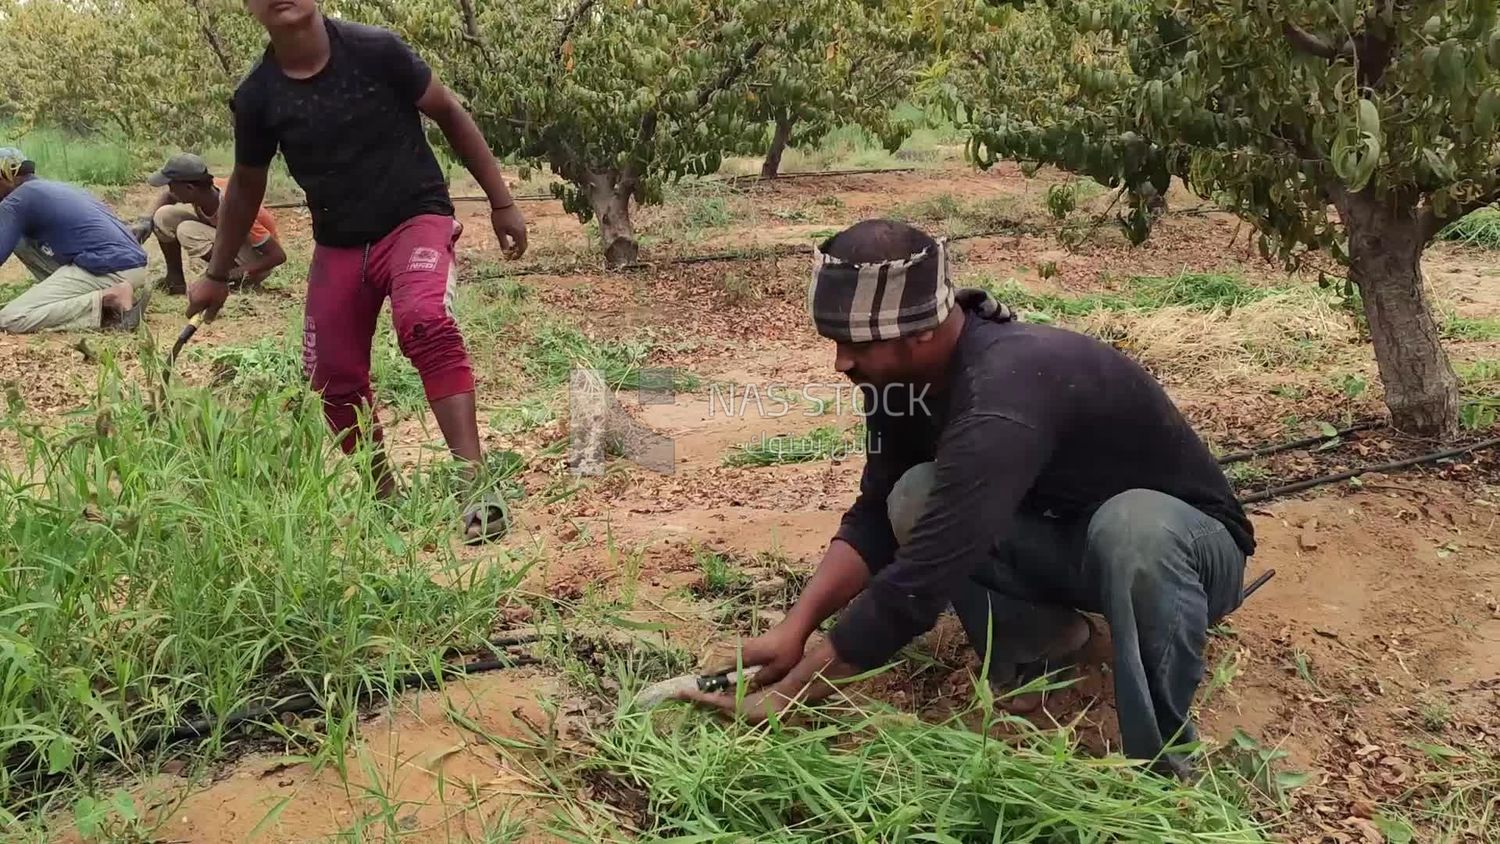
199 563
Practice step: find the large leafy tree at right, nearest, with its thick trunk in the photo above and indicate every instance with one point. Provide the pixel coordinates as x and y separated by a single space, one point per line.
1357 127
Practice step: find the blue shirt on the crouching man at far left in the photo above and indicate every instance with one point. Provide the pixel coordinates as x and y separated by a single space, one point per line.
70 223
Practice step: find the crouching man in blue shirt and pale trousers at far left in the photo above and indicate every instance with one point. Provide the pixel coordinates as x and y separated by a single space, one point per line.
91 272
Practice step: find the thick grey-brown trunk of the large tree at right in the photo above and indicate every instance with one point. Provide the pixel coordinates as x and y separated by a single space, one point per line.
1385 251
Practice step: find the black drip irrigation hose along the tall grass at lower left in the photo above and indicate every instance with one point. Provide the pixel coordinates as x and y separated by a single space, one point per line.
295 705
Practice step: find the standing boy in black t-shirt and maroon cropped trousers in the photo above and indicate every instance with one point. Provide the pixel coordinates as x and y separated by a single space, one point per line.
344 103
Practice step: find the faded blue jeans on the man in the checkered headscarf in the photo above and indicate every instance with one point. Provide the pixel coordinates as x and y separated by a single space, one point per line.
1159 570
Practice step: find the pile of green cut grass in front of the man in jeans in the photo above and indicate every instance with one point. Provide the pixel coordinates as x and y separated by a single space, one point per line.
880 776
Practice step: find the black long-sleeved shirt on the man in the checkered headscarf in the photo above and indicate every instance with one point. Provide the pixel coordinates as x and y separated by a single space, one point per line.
1034 419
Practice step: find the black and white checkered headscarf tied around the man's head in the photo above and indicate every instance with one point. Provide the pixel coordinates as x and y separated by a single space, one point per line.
859 304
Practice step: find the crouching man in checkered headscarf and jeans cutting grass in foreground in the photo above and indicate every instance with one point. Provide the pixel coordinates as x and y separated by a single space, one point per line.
1019 474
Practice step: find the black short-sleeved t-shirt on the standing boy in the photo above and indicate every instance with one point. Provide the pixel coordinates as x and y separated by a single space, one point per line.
352 134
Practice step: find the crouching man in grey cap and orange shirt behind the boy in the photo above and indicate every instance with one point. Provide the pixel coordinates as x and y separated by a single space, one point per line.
187 220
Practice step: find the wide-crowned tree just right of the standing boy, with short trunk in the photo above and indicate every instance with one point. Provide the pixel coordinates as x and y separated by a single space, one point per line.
617 98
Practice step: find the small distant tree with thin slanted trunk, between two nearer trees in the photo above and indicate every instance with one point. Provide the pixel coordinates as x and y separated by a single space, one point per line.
860 65
